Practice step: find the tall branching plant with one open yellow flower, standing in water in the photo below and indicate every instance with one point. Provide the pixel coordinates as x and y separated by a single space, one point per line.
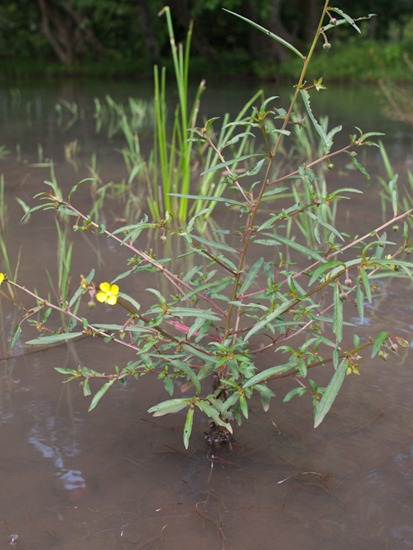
264 291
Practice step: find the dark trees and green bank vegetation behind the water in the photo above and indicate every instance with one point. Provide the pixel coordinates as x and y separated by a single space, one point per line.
125 37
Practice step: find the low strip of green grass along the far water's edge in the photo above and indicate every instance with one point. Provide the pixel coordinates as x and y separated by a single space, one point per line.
367 61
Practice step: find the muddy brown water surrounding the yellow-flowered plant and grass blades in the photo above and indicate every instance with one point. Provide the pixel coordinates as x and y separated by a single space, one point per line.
117 478
